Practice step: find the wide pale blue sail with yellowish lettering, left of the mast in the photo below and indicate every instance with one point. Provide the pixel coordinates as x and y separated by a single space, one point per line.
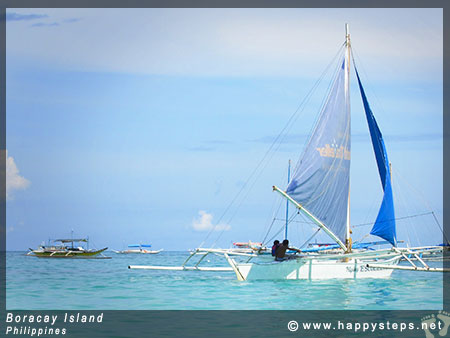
322 176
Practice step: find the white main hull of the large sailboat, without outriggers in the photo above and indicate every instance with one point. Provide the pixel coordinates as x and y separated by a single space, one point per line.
310 268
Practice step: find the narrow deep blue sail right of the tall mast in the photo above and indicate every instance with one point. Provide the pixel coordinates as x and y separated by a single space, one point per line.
384 226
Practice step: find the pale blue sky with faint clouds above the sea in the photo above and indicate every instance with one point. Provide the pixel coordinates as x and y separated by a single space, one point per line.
128 123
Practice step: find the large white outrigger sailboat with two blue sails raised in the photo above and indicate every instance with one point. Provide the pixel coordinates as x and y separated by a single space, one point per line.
319 189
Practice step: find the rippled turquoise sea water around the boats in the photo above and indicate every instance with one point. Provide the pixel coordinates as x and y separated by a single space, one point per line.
107 284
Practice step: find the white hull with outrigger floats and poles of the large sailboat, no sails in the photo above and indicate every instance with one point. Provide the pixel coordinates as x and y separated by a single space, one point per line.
336 265
